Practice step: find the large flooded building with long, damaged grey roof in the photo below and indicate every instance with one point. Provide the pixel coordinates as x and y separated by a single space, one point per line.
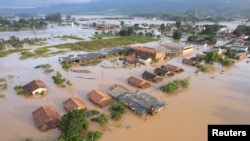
139 102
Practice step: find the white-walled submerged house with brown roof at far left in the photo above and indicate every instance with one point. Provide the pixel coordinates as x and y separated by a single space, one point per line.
34 87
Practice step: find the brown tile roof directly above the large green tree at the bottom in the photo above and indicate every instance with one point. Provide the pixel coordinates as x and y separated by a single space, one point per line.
74 103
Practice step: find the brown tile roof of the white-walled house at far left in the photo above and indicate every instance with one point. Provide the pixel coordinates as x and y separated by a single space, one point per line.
33 85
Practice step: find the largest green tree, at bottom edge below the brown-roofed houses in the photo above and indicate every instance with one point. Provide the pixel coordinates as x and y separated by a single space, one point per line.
72 124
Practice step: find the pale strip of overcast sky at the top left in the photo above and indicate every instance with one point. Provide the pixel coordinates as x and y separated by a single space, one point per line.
27 3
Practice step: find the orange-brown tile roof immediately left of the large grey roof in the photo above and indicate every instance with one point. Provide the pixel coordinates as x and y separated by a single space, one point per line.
100 98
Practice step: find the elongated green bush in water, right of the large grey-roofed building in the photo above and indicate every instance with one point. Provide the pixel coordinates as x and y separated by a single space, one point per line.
175 85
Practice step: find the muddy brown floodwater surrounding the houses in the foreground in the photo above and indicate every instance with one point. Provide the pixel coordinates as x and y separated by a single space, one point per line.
220 97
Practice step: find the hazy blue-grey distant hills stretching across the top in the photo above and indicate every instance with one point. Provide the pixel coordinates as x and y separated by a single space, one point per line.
135 6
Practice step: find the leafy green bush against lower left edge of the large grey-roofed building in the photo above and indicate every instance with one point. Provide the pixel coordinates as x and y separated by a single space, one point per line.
117 109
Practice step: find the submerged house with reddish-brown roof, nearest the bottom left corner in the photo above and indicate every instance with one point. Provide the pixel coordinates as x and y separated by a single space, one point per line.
46 118
